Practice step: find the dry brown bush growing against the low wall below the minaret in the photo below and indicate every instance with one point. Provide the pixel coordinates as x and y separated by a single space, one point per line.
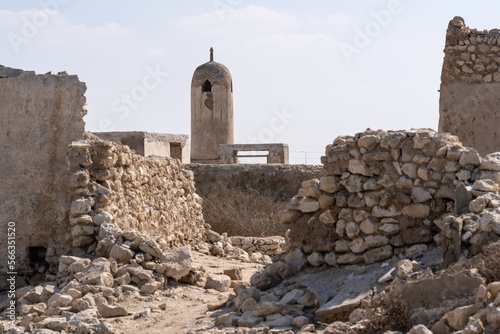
243 213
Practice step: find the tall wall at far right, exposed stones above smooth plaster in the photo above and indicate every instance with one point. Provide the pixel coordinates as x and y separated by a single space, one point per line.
470 86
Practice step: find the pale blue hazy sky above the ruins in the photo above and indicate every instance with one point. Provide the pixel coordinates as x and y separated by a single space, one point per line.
304 72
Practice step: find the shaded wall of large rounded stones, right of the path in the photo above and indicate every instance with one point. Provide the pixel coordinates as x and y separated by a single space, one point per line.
382 192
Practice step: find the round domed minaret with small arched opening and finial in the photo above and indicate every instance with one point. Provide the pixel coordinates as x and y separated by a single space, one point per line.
211 110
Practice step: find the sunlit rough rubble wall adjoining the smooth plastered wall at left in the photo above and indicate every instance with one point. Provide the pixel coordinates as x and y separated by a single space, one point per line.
112 185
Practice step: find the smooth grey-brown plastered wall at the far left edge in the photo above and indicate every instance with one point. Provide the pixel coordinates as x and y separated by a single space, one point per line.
40 115
